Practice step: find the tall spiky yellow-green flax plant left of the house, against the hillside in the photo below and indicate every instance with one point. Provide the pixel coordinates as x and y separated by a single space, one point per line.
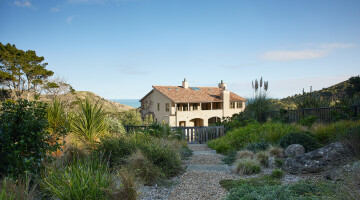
89 123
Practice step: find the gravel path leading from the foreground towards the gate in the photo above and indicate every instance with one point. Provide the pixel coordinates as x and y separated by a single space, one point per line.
201 179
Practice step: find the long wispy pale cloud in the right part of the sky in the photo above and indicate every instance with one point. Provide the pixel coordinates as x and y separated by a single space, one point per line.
318 51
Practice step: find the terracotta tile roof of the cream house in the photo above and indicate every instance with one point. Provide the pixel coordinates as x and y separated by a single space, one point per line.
204 94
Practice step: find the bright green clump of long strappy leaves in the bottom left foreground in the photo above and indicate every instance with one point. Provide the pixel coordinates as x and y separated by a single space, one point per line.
87 178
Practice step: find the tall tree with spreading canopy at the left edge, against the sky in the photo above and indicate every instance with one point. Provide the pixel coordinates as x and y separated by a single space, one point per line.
21 71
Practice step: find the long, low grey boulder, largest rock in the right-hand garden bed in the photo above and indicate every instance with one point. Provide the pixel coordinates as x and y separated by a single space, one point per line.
317 161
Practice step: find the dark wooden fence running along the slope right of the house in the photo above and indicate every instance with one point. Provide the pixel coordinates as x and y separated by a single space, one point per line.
325 115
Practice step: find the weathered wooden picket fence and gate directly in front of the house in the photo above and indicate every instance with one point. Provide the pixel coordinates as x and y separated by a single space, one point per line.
194 135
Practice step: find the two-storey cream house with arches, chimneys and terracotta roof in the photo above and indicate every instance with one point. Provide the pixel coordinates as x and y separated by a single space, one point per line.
191 106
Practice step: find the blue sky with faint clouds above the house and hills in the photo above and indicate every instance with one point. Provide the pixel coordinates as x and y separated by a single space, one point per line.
118 49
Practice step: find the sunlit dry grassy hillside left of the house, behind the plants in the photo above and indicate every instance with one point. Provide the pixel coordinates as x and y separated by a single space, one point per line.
74 99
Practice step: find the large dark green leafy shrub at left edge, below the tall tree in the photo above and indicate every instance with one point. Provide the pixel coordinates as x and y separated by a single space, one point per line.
24 141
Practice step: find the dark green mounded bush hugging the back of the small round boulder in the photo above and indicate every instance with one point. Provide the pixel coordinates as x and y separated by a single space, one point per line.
305 139
